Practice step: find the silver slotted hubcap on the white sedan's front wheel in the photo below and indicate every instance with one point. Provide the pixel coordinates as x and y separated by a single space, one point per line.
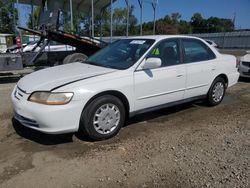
106 118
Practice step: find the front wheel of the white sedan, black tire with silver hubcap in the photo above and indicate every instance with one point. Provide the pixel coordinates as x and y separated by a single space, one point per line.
99 124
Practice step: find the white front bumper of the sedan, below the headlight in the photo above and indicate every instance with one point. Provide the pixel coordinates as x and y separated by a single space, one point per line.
51 119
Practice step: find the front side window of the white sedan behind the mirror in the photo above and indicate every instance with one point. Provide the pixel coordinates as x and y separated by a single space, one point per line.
168 52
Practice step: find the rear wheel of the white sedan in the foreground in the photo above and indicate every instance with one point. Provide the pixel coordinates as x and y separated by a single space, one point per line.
216 92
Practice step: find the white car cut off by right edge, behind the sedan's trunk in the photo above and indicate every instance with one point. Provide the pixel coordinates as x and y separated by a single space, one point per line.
244 66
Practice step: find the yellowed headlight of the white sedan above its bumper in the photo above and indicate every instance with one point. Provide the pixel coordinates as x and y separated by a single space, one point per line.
49 98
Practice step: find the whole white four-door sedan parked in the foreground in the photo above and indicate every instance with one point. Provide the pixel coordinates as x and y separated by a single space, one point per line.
129 77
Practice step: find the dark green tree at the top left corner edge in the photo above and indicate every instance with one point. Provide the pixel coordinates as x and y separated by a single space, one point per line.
8 17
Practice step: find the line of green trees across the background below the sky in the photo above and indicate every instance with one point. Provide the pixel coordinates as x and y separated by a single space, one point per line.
169 24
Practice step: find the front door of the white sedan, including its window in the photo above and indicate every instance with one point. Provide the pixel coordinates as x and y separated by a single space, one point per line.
154 87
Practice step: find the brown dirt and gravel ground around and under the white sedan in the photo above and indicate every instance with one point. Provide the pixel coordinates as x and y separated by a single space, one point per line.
190 145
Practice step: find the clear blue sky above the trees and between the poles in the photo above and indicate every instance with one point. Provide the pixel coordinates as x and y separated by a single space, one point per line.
207 8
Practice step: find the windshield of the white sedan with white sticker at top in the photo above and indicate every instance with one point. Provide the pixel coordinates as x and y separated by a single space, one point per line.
121 54
